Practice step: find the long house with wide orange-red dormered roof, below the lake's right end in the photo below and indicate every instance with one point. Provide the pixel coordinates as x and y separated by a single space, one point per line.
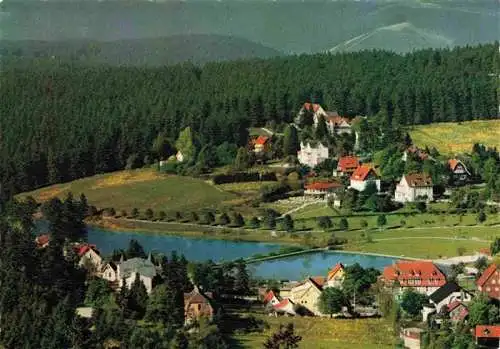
421 276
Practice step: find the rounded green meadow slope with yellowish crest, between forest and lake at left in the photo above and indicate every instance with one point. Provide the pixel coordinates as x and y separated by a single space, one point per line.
145 188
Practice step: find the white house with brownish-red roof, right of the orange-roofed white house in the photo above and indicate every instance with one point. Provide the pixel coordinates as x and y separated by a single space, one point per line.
414 187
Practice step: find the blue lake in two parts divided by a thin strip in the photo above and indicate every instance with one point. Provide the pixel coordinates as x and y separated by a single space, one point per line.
291 268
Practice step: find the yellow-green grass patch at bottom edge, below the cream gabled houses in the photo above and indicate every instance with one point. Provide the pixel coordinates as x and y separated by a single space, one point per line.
325 333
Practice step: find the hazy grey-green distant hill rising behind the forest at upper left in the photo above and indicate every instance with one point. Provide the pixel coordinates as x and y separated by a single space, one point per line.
198 49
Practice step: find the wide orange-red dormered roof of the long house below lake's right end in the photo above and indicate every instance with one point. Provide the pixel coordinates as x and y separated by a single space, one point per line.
422 274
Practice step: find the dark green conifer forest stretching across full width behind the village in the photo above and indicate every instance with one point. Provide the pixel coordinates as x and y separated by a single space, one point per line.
60 122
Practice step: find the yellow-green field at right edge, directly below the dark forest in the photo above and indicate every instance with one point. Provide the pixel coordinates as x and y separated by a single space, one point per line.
452 138
